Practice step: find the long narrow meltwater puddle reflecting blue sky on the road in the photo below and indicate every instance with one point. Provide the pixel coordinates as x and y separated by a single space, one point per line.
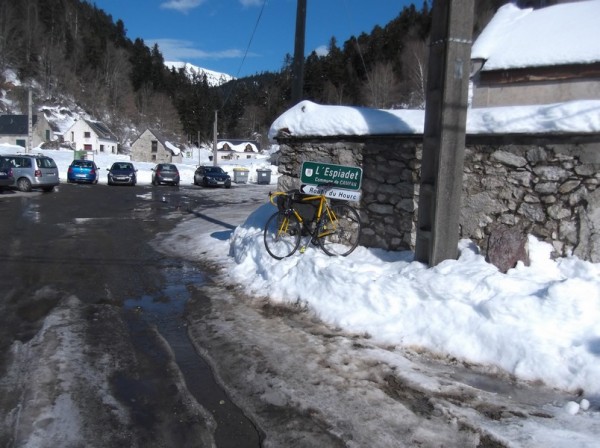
165 312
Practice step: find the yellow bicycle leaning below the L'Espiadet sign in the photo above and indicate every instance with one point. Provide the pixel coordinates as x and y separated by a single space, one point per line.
333 227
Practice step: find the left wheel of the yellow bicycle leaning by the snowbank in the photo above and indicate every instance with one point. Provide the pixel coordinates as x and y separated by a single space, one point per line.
282 235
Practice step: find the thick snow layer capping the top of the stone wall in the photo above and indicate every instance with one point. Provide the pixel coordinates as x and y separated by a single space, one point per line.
307 119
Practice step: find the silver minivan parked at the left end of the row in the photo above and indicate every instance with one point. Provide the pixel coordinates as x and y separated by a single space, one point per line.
33 171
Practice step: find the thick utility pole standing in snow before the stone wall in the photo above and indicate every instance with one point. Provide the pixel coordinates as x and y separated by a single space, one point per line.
444 134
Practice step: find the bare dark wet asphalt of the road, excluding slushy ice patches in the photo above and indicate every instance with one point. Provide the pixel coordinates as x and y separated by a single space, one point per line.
92 242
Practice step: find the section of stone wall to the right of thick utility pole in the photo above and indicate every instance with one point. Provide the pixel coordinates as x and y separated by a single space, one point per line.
550 191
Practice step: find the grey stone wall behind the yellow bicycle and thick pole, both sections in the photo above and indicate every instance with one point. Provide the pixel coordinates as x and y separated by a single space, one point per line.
548 190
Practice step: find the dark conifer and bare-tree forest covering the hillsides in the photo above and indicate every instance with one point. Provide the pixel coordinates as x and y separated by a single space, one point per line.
70 49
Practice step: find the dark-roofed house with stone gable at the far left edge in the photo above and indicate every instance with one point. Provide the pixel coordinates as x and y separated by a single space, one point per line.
14 130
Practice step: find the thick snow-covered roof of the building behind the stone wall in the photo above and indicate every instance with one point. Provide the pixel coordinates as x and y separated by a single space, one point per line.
566 33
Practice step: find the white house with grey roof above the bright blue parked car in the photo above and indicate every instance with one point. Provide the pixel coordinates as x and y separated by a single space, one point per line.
91 136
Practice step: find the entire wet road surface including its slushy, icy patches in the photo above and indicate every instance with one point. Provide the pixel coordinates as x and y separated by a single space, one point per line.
94 350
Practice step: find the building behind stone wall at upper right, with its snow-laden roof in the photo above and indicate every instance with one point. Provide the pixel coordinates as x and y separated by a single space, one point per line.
523 56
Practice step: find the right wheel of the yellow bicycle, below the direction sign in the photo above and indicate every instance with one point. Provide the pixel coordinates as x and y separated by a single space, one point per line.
340 230
